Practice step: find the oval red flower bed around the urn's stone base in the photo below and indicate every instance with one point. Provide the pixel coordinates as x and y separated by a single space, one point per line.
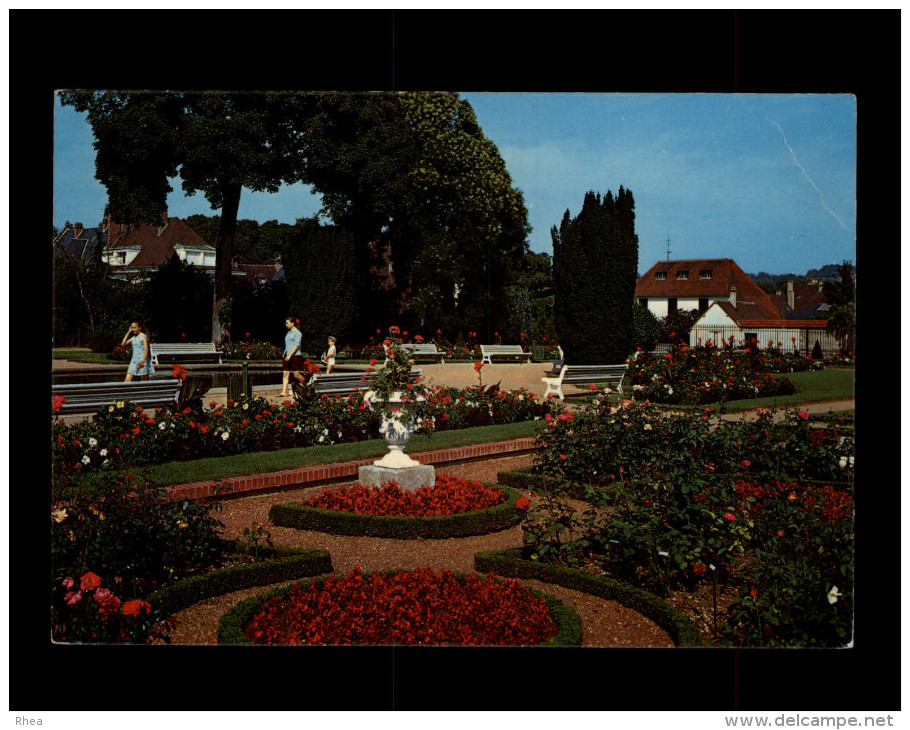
450 495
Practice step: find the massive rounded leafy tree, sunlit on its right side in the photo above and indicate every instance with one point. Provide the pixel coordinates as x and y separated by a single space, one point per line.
417 172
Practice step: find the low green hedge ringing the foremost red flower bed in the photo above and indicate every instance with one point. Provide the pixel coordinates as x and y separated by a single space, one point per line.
230 627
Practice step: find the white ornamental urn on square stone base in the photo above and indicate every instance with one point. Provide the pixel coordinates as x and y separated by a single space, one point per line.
399 416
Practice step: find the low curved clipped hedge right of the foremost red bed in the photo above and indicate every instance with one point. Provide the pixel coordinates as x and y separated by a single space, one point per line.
509 563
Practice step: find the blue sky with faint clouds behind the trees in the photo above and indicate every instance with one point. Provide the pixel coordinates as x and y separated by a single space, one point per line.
767 180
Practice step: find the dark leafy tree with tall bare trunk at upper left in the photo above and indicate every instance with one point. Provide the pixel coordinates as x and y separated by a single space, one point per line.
218 143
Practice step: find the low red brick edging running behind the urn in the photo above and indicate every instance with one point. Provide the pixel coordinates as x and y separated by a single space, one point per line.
307 475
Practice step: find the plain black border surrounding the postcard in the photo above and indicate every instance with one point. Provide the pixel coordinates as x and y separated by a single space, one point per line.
656 51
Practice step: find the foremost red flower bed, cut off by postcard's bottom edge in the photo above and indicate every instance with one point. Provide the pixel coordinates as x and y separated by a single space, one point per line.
418 607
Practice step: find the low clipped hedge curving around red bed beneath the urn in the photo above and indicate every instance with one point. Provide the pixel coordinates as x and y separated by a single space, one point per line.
465 524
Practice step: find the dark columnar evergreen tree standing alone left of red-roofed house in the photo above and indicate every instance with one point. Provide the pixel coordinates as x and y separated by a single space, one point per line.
595 260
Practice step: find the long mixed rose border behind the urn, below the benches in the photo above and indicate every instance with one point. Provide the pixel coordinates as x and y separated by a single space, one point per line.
122 434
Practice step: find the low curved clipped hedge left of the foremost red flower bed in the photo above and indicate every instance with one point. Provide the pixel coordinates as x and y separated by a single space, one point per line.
289 564
